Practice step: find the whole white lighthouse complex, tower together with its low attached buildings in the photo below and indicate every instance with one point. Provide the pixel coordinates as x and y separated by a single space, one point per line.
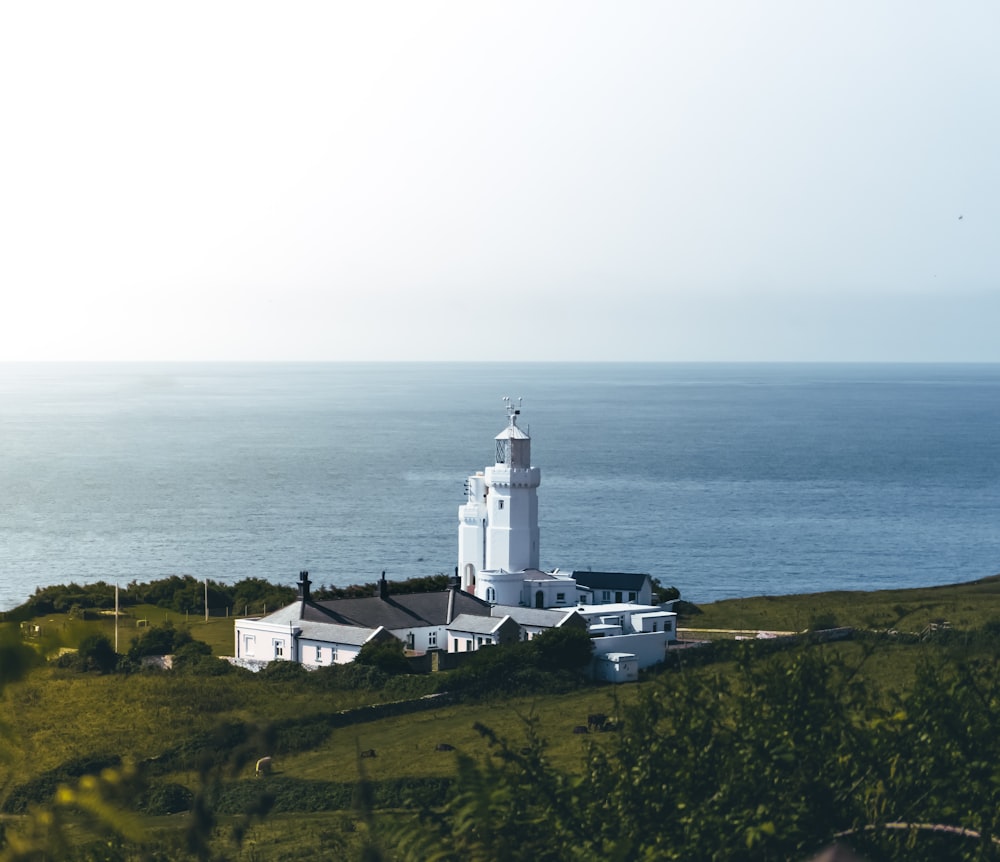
501 595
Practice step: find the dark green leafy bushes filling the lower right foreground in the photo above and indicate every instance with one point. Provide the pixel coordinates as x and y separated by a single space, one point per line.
774 762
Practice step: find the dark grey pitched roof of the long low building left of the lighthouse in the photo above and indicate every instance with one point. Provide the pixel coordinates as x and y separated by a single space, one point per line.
396 612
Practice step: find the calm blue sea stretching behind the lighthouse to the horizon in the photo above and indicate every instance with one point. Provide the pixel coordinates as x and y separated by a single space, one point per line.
723 480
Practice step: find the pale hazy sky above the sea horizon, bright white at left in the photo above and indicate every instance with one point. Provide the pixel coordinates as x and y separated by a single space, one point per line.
470 181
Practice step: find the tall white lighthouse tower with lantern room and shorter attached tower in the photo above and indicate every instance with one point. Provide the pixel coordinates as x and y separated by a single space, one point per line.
498 524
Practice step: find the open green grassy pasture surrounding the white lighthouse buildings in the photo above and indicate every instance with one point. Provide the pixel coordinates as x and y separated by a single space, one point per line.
189 729
